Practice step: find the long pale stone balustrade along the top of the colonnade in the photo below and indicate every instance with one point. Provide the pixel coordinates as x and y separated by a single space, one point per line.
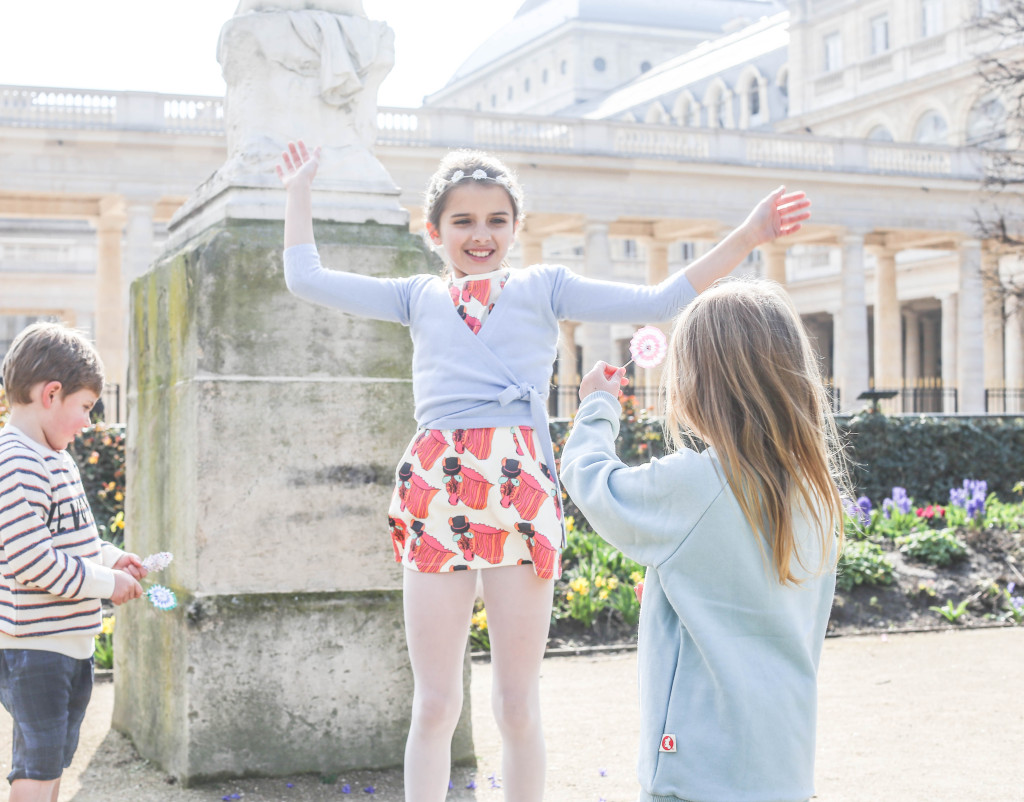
57 108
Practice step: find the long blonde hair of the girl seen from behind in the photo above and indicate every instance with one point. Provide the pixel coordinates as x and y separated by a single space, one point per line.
742 374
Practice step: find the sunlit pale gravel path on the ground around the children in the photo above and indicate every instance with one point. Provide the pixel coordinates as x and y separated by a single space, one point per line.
930 717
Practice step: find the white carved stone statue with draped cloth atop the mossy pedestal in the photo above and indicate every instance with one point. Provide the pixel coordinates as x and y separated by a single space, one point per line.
305 69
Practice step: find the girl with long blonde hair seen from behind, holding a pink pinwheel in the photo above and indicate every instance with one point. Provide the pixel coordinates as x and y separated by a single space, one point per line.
741 544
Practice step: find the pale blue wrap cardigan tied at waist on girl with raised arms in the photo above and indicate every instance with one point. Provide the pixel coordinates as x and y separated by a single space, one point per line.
501 376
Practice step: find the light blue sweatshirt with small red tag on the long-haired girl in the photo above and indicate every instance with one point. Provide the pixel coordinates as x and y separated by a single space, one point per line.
728 657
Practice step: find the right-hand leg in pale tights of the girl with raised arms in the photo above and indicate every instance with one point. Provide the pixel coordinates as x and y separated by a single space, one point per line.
519 616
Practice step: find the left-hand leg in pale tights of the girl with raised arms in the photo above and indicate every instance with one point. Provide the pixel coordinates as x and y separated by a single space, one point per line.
439 609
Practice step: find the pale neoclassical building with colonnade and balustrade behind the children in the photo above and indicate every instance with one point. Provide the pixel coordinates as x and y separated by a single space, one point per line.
642 135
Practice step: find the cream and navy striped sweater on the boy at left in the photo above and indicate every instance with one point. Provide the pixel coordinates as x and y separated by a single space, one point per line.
54 565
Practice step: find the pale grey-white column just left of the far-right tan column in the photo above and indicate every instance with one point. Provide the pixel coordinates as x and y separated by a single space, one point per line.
970 331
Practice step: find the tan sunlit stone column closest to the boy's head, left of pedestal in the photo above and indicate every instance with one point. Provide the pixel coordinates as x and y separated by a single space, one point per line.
110 318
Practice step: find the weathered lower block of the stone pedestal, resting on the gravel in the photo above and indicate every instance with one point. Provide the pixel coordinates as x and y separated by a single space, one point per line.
268 685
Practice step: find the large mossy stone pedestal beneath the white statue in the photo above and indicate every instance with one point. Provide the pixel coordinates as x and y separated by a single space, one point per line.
263 439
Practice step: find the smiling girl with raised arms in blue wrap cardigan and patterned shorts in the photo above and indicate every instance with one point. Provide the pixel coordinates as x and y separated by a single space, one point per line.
476 489
